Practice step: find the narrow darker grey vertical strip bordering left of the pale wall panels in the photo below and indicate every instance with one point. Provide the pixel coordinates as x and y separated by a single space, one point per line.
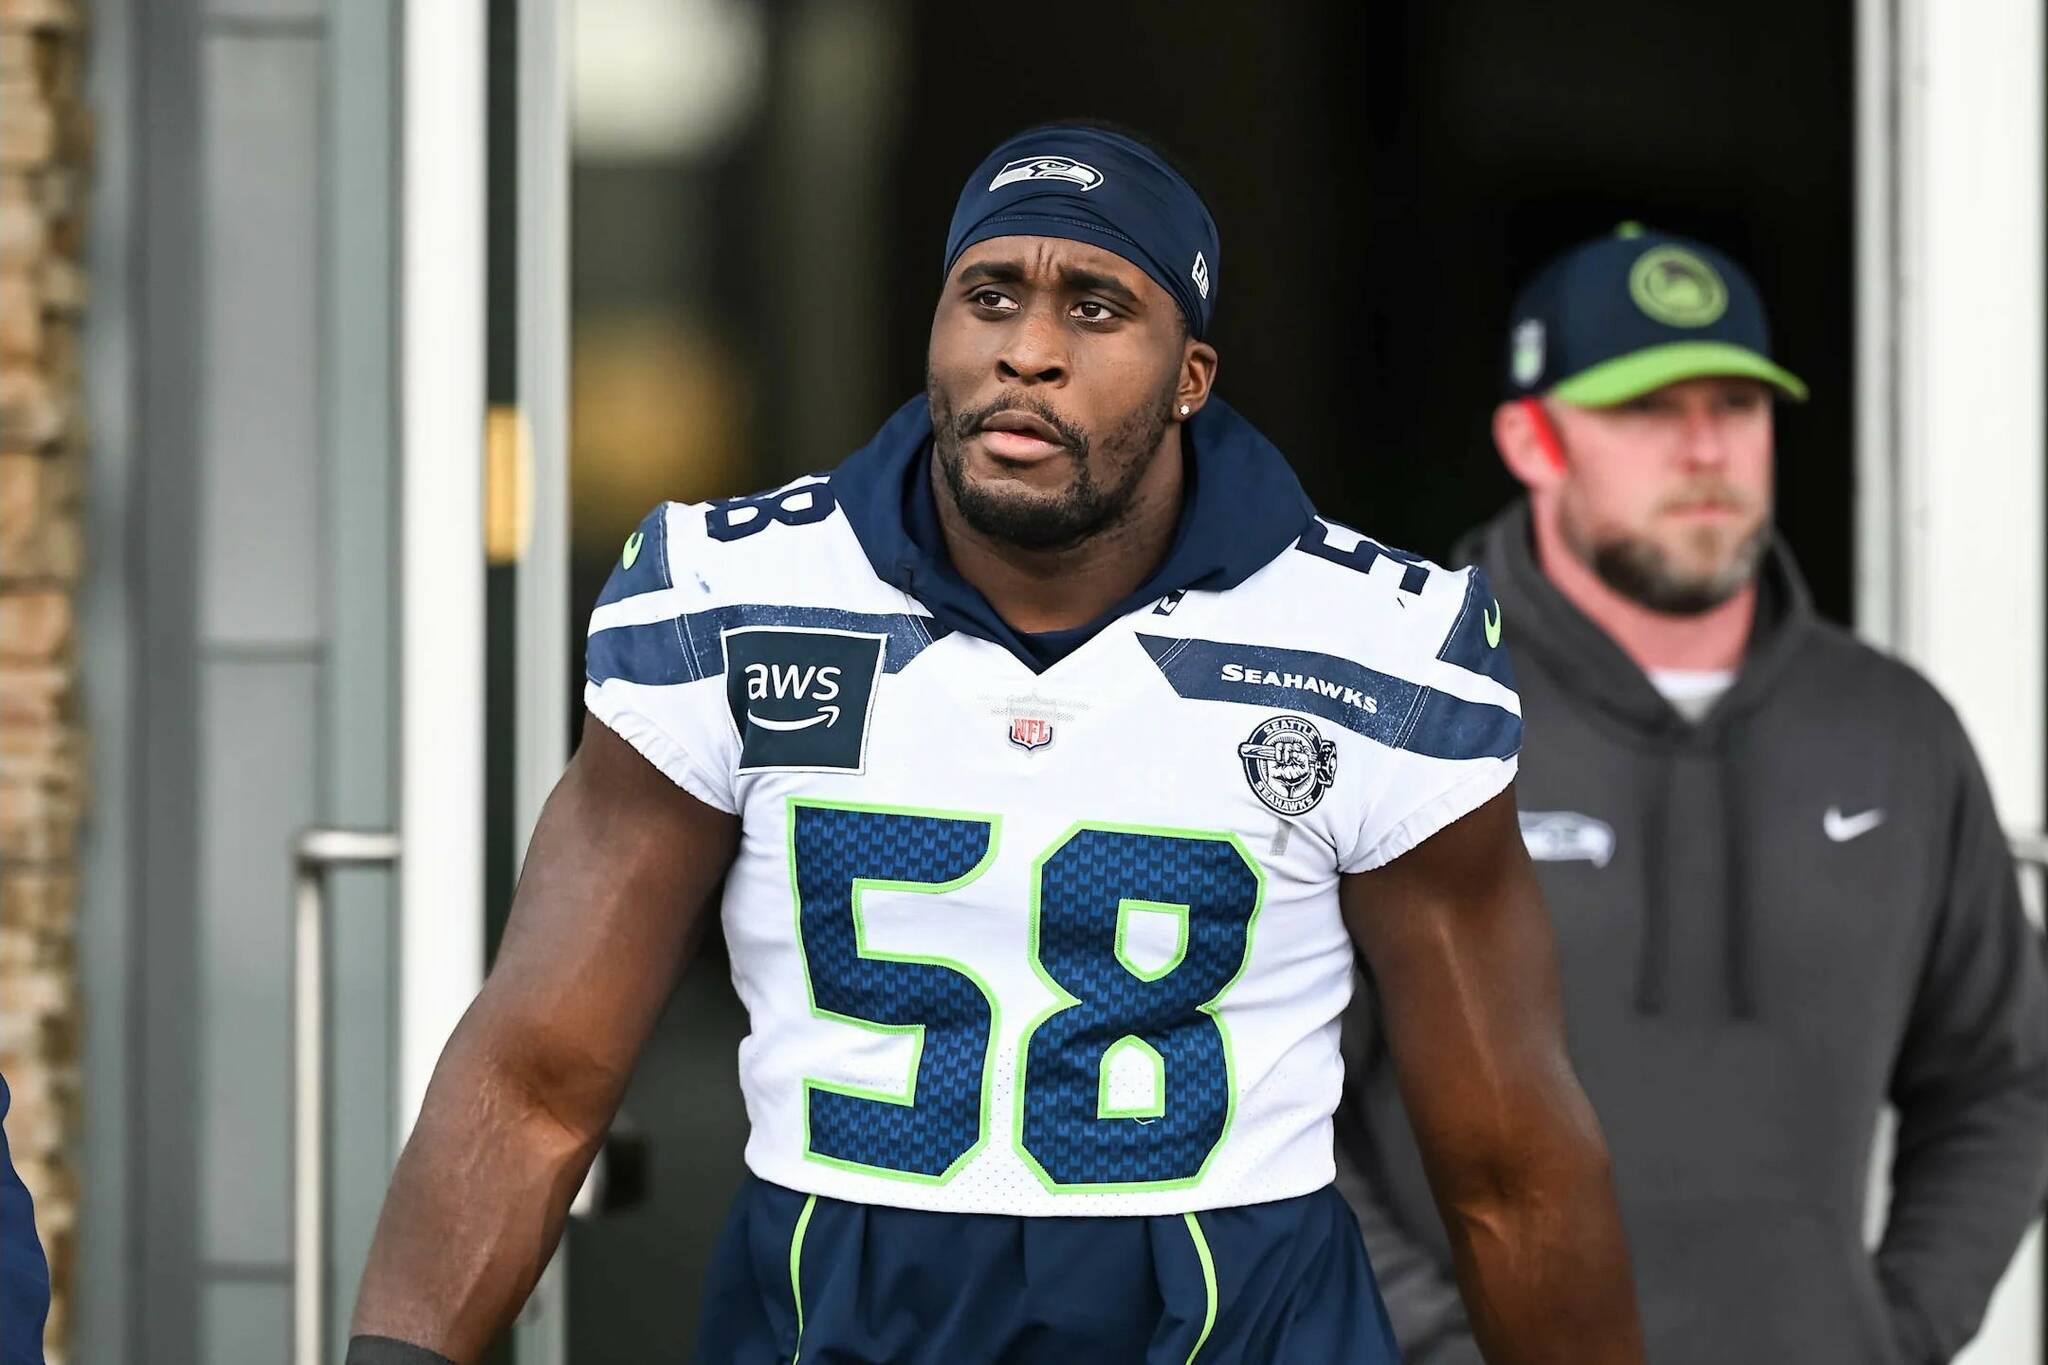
165 539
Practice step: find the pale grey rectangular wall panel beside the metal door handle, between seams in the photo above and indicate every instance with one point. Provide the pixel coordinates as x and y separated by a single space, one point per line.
257 789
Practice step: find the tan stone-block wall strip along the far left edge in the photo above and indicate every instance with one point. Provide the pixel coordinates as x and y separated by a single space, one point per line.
44 173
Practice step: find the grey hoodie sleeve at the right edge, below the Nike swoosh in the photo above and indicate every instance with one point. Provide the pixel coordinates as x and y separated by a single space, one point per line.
1971 1086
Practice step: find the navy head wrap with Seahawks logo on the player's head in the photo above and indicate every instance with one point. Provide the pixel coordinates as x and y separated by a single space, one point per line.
1097 187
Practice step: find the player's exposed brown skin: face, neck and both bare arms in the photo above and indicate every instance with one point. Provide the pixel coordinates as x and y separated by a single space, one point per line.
624 867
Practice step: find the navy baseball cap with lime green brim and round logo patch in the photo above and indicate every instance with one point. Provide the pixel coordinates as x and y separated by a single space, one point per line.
1621 316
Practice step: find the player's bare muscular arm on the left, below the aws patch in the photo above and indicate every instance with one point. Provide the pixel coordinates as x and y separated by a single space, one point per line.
609 912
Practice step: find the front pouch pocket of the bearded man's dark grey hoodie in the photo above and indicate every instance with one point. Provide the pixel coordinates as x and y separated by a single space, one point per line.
1760 1282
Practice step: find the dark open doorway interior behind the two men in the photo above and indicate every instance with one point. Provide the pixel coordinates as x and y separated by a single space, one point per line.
1383 175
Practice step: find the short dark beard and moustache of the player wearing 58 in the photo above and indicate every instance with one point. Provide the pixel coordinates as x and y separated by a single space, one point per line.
1078 513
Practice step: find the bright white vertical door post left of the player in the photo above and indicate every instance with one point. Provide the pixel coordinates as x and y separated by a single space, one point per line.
441 533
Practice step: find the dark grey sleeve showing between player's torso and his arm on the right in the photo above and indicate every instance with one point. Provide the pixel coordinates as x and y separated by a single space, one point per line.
1416 1284
